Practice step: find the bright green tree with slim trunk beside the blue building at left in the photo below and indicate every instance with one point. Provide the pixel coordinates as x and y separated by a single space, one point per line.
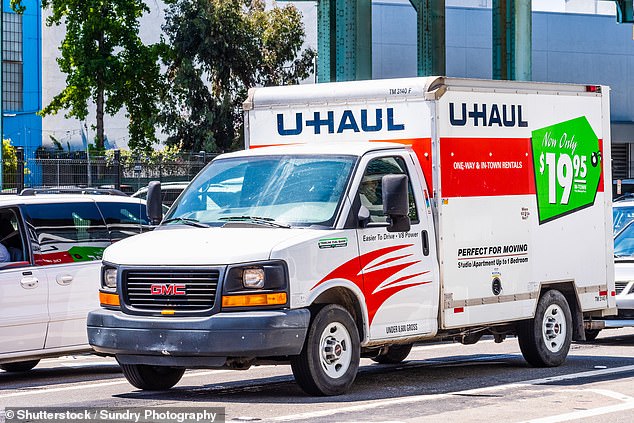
106 62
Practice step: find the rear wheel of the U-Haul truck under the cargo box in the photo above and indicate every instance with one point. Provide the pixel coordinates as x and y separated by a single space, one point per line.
545 340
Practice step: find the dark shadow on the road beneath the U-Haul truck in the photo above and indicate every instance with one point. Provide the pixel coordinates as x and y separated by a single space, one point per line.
448 375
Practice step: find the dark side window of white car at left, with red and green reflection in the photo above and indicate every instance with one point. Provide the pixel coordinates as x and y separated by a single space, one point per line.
66 232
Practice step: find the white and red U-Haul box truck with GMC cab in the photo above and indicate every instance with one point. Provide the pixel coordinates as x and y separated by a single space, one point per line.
366 216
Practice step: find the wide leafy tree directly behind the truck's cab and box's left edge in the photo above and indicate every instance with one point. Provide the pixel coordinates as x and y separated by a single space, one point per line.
218 50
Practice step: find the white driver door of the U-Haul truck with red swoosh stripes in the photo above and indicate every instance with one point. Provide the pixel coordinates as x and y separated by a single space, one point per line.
399 272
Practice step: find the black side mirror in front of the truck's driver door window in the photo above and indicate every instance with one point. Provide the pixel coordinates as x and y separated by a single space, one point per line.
396 202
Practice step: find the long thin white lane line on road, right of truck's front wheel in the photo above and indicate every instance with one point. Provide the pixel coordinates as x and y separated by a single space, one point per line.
434 397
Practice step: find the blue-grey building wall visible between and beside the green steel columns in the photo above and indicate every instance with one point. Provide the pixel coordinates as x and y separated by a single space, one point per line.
567 47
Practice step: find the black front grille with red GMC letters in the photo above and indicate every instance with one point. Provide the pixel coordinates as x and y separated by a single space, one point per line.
191 290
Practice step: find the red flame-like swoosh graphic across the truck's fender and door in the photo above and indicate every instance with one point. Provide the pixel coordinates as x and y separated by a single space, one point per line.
351 270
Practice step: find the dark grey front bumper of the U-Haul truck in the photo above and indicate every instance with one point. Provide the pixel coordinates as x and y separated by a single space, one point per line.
197 341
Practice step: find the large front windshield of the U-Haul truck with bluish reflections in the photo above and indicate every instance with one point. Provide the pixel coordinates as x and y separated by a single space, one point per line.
285 190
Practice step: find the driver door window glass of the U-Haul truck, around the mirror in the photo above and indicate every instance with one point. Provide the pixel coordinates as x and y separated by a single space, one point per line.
371 192
